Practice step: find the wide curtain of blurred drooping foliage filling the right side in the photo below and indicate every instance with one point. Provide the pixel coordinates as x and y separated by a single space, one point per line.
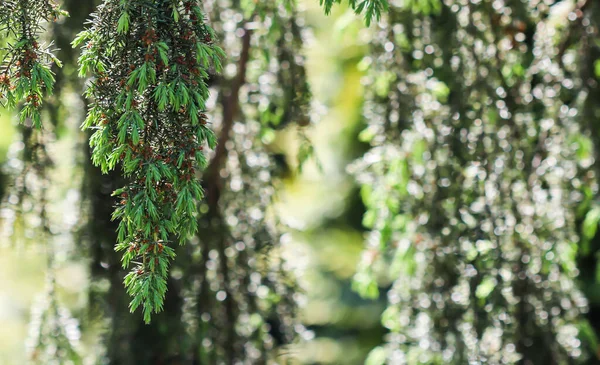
478 164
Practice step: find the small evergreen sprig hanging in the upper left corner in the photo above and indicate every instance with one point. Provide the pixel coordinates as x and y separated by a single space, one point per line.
26 67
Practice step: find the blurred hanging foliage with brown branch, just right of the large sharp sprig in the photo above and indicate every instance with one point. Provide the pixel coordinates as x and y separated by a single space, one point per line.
263 90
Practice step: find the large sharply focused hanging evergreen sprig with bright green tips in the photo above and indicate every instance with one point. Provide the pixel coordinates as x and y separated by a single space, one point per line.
149 60
